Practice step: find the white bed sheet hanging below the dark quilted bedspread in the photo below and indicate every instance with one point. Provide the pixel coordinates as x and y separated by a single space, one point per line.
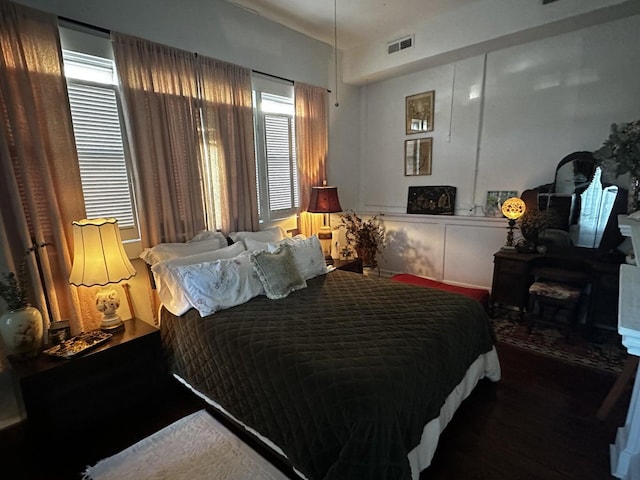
486 365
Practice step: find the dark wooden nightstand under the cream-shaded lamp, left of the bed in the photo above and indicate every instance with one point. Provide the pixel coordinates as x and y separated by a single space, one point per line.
64 396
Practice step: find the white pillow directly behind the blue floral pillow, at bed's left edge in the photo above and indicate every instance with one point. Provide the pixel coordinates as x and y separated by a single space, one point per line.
168 284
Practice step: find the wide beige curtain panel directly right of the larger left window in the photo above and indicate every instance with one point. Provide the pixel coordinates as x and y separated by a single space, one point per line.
160 90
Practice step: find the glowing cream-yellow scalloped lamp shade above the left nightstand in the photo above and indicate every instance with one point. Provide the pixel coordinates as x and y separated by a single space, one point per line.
98 254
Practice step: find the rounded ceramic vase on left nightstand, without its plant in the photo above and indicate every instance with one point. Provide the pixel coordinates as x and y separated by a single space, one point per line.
22 332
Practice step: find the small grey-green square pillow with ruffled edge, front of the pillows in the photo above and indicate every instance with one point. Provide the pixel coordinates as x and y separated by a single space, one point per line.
278 272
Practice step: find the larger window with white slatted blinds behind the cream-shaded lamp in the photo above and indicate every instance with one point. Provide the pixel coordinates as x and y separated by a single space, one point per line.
100 140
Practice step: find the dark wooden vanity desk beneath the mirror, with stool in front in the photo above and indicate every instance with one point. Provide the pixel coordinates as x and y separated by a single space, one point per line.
513 274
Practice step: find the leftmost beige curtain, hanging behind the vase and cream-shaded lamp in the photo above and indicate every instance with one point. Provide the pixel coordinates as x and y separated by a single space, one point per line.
39 173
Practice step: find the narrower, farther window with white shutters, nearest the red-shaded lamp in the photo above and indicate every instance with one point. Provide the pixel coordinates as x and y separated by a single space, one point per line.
276 162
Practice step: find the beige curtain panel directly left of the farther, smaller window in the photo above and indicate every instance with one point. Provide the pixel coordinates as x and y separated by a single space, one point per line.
229 156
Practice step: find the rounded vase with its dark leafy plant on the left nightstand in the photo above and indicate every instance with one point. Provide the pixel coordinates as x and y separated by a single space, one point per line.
21 326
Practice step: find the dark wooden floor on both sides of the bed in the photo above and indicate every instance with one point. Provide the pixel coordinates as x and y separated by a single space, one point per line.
538 422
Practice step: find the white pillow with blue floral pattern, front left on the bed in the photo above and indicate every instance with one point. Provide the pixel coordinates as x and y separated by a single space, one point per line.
214 286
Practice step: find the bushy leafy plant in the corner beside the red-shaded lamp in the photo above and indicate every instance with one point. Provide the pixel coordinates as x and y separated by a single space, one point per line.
365 236
